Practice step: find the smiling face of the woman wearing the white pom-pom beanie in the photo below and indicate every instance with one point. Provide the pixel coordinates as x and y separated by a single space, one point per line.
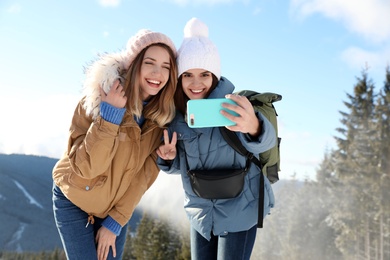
197 83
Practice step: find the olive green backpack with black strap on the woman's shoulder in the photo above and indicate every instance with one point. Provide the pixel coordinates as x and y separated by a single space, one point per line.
268 161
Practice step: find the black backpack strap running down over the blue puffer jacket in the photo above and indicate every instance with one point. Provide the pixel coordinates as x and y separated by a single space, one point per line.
232 139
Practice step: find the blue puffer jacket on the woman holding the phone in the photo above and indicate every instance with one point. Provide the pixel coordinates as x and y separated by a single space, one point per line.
205 148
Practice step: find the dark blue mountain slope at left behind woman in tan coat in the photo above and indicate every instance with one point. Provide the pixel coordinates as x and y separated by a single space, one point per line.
26 215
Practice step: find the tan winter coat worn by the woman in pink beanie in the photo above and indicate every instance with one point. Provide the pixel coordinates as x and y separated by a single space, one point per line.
107 168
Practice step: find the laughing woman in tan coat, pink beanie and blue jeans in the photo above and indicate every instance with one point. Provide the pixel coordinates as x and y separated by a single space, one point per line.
110 160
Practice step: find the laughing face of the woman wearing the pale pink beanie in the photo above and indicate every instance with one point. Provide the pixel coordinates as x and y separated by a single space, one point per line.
154 73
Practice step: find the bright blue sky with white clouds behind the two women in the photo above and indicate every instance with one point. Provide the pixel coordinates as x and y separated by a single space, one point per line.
309 51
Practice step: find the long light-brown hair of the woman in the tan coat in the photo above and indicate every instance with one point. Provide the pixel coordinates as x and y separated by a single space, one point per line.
161 107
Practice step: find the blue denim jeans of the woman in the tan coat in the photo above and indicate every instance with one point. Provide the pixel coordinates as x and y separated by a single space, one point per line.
77 239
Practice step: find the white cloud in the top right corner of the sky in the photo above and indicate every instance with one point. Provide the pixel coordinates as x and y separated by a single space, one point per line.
369 18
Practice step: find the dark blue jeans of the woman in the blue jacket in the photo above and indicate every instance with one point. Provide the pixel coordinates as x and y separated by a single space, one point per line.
233 246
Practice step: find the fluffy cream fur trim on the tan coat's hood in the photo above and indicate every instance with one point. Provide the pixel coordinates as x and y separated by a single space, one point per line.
102 73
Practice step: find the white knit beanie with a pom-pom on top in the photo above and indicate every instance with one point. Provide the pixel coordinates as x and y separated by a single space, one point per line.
197 51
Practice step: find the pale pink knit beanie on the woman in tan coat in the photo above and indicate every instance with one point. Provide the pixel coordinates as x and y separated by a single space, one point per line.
142 39
